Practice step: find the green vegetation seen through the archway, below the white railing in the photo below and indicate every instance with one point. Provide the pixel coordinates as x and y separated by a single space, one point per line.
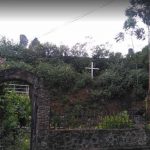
15 121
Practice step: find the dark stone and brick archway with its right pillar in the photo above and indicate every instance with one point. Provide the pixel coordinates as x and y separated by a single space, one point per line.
39 102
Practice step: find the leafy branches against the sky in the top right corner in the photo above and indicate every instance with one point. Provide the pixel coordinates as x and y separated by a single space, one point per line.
138 9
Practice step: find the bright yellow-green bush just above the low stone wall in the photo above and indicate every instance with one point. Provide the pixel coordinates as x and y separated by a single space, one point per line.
120 120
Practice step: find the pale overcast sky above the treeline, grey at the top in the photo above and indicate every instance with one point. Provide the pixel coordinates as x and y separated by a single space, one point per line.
67 22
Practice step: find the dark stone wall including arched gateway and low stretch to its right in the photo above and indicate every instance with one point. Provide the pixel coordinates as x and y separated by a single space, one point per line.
43 139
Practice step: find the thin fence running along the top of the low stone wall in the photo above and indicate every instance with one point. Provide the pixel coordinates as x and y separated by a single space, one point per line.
95 119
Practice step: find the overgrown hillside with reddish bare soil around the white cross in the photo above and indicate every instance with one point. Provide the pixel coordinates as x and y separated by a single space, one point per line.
121 83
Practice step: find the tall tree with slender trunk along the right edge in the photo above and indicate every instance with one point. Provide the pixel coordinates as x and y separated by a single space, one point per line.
140 9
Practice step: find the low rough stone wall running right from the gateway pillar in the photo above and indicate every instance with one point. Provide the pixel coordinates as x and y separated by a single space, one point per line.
98 140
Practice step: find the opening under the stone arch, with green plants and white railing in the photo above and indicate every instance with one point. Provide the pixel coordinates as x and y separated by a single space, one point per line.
15 115
